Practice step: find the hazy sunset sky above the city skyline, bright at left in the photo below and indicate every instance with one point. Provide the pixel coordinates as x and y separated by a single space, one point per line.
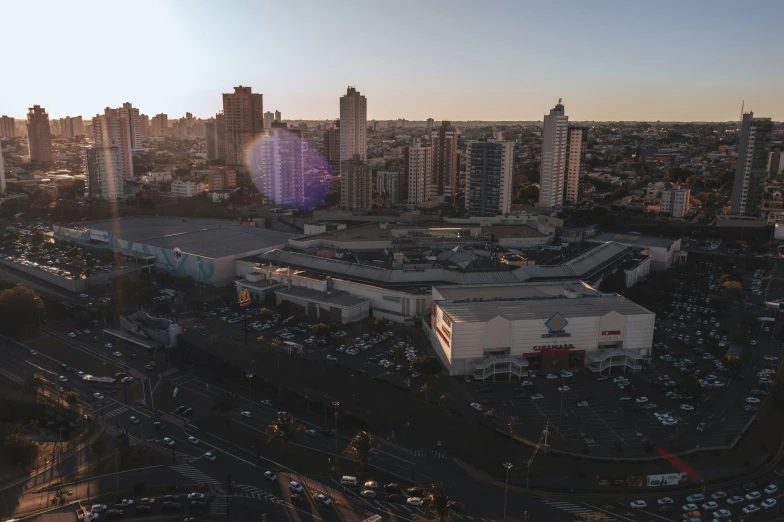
489 60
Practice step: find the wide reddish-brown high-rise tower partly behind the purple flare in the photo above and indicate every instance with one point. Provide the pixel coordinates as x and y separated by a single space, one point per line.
244 114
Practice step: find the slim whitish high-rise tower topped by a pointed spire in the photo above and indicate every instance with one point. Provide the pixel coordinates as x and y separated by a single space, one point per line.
554 144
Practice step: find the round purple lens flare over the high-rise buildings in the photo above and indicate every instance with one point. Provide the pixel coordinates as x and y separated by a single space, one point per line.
287 169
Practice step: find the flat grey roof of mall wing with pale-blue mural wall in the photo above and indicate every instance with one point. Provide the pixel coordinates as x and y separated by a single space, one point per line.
212 238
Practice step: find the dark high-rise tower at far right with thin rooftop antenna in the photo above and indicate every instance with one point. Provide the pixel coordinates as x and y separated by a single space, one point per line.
752 165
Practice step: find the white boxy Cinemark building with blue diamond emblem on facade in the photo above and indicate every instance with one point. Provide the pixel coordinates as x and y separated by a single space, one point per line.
503 331
